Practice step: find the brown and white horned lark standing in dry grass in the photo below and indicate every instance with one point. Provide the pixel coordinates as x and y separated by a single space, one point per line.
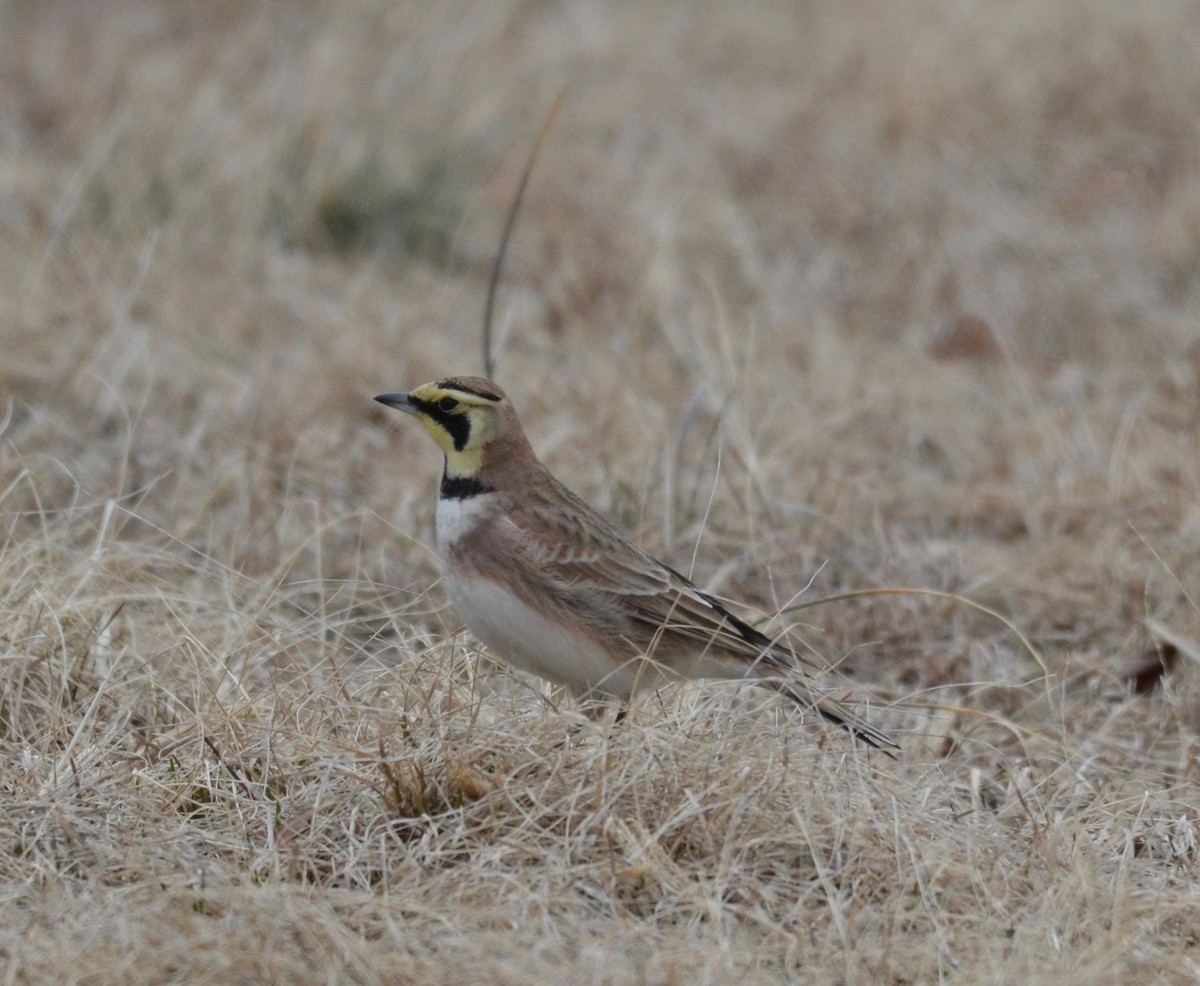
550 586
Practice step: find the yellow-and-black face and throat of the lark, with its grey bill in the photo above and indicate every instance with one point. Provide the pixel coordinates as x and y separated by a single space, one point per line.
461 420
